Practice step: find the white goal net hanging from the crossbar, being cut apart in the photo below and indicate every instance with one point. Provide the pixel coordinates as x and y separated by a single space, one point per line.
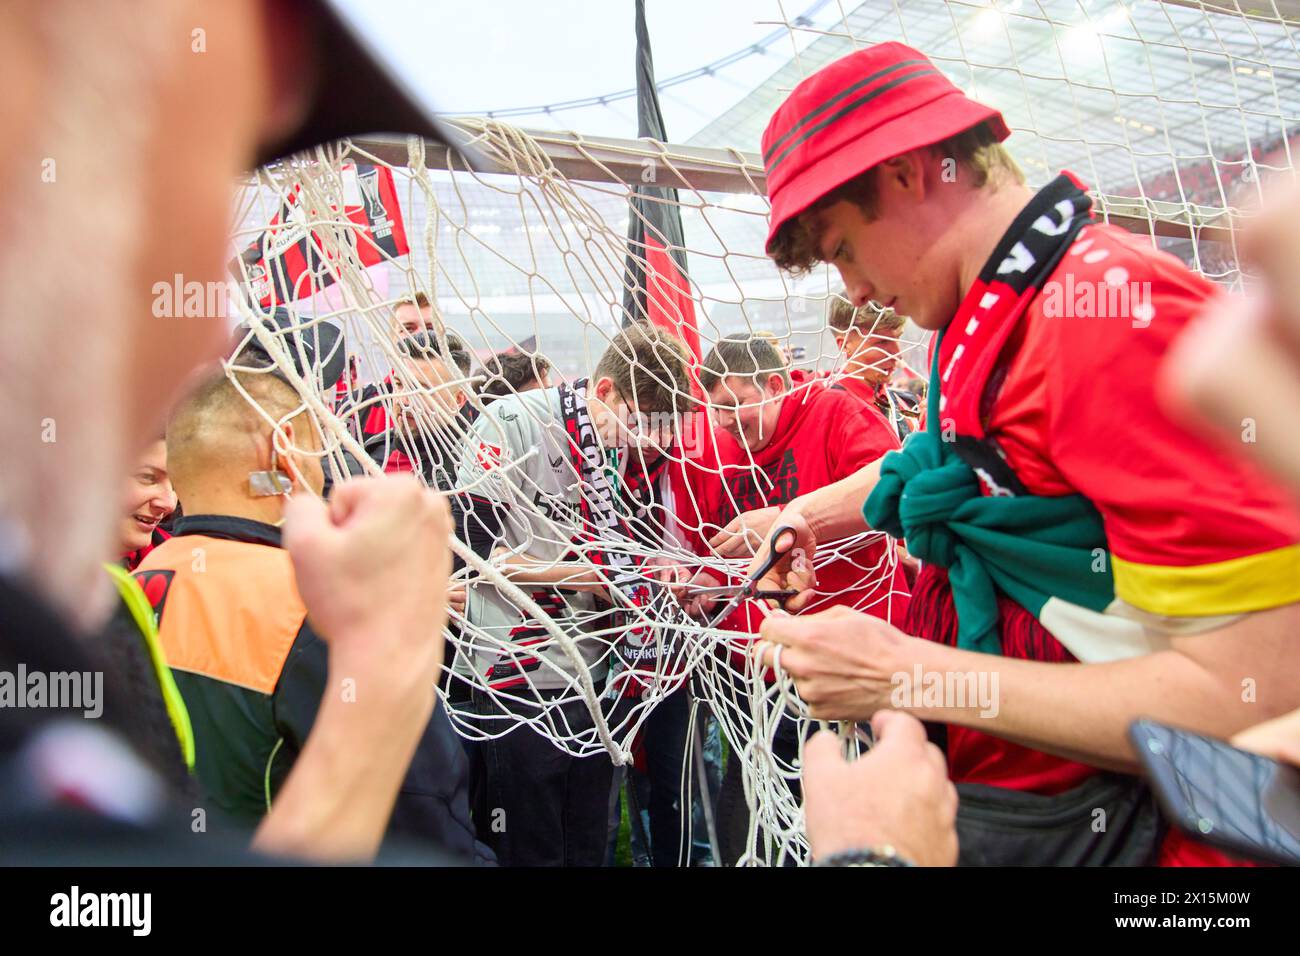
1162 119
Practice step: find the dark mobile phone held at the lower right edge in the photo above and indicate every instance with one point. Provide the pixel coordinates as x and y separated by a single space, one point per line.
1228 798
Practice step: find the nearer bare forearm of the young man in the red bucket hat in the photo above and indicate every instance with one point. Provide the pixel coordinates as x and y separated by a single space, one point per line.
1084 711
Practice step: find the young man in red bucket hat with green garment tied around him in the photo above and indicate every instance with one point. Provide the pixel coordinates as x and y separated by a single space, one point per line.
1086 559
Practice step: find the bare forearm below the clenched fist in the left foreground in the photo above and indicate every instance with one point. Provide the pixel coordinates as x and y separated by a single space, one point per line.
339 798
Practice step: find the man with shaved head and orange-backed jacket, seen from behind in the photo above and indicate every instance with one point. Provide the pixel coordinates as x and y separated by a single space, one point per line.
232 622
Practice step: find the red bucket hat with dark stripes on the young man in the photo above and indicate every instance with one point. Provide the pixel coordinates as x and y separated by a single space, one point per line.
855 114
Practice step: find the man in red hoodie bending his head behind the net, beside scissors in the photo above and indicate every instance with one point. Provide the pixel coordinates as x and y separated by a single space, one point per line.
794 434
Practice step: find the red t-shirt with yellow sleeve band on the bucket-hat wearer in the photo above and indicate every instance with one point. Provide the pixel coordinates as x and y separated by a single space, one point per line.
1193 529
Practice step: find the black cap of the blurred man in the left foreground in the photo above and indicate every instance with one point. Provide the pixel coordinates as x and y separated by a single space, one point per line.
358 90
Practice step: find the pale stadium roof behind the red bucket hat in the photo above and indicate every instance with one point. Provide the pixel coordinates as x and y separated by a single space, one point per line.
1123 94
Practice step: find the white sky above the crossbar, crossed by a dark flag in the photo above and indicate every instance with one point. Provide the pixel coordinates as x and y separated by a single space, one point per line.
483 55
